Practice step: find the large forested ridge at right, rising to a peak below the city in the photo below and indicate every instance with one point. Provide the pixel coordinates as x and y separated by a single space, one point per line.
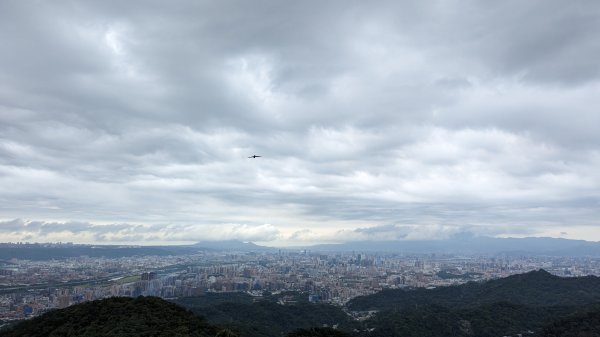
509 306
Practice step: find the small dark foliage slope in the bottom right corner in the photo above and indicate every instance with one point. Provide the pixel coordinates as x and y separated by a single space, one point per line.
580 324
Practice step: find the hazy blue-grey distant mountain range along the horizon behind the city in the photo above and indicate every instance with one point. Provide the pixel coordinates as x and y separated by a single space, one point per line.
462 244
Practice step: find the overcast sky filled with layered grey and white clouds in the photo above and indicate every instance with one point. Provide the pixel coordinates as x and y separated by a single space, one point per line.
132 121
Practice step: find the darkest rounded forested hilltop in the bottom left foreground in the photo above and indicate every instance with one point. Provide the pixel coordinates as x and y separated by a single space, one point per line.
119 316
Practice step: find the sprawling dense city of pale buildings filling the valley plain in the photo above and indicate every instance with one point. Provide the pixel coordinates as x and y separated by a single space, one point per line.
29 288
